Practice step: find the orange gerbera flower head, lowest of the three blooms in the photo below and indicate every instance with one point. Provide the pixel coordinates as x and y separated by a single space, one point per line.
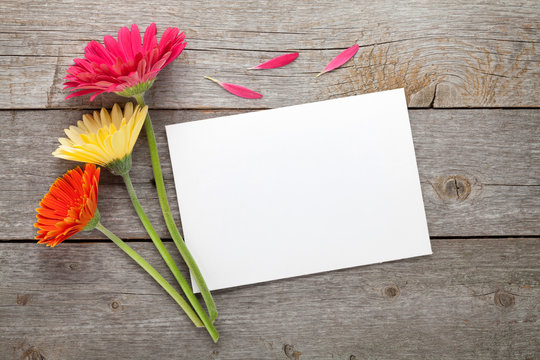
69 207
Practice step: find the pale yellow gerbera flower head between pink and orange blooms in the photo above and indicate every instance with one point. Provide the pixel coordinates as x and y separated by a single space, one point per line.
104 138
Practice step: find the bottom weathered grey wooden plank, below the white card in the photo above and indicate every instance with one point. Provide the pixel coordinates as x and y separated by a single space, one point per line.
473 299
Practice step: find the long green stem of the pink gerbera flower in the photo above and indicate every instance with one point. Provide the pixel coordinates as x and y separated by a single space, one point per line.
169 220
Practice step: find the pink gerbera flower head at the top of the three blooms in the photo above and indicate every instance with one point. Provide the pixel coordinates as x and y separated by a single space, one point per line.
127 66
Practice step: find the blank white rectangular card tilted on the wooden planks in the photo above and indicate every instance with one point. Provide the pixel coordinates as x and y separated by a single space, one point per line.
298 190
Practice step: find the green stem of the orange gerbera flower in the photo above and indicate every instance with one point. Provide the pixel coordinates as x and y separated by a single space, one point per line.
150 270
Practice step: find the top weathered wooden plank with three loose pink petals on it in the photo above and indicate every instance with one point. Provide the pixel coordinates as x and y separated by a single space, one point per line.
446 54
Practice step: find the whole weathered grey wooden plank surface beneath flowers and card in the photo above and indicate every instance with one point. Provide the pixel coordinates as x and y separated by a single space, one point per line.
471 71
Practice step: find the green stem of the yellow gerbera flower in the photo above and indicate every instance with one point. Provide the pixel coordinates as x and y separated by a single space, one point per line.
168 259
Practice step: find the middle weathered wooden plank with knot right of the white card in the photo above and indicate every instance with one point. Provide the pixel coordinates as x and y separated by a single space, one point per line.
478 168
